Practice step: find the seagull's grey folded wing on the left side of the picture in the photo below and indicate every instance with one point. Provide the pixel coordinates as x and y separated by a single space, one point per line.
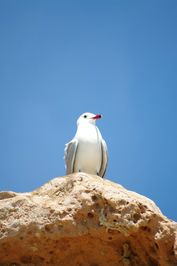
69 155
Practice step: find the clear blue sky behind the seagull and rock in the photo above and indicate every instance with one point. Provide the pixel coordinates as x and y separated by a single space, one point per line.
59 59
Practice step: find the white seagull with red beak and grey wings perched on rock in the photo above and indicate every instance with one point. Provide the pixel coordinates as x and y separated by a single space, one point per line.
87 151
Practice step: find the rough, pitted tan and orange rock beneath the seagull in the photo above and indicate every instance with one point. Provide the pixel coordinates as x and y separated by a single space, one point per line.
84 220
